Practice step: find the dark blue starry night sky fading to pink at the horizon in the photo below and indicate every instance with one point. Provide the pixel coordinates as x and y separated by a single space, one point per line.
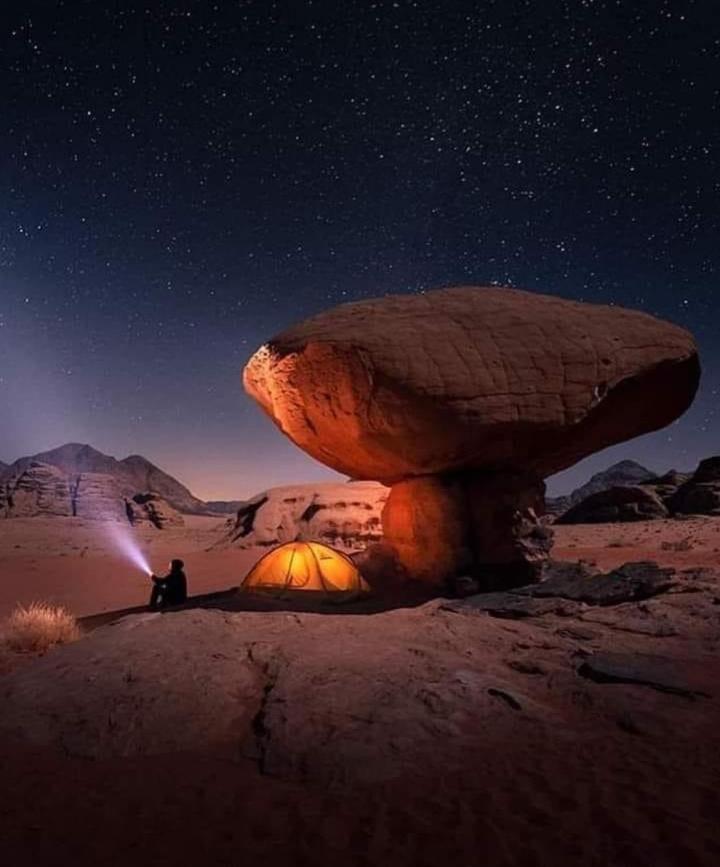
179 181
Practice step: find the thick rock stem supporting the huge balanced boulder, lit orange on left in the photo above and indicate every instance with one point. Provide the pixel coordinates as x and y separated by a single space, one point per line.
478 524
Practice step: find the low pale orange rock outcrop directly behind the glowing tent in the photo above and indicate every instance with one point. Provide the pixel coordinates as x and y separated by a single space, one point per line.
342 515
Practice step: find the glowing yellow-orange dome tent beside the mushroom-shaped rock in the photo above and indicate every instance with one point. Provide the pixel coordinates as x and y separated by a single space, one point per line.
306 566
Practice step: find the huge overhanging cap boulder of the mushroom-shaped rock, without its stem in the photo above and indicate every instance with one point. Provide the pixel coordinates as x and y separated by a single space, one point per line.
471 377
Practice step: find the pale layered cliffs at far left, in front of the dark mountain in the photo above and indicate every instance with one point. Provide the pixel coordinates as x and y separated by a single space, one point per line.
41 489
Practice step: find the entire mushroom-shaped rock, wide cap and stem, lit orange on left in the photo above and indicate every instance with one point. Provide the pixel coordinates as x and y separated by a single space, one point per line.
464 400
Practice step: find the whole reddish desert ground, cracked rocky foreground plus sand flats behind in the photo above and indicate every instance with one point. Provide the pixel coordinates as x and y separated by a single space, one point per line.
427 735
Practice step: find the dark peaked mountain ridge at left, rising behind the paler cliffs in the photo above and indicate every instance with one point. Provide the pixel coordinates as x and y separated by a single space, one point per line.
132 474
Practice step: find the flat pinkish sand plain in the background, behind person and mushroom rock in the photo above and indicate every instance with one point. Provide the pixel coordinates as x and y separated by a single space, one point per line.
75 563
